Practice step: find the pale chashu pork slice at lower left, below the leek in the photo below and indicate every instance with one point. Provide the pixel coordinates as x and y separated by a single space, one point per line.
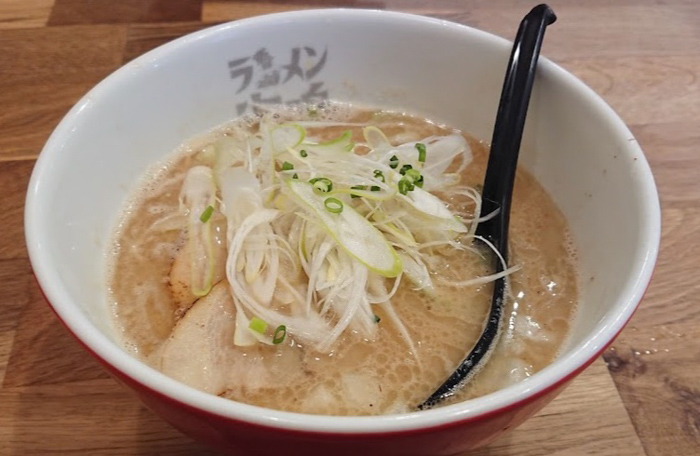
197 352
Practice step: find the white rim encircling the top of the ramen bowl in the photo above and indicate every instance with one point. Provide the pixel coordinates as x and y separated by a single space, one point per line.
549 378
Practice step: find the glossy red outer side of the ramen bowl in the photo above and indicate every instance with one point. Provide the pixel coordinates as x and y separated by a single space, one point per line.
240 438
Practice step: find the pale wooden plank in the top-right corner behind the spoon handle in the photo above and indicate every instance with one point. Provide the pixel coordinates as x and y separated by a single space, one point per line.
594 28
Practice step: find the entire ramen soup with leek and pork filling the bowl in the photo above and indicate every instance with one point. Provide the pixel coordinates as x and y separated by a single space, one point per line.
322 260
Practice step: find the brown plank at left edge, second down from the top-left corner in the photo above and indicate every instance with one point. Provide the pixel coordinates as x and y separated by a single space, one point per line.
44 72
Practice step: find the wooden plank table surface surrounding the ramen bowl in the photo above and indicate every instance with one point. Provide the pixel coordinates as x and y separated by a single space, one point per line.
642 56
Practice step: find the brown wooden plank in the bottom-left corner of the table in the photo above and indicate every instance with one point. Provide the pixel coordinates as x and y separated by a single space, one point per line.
97 417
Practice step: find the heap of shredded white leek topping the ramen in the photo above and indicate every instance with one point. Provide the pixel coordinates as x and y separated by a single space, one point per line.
317 258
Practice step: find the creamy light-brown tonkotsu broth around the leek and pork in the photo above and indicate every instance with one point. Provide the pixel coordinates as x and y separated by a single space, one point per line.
360 376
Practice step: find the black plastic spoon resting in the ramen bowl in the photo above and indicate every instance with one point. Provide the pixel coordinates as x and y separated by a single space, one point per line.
498 183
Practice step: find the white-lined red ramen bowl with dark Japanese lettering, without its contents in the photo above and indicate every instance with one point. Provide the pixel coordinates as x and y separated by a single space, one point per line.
575 145
